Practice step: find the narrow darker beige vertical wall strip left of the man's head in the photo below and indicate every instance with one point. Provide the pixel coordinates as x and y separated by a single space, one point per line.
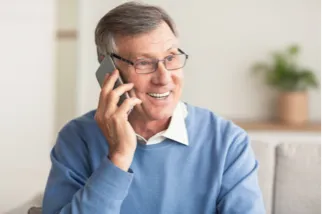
66 64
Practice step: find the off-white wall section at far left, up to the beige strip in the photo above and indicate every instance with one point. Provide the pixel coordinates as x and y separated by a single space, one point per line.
27 101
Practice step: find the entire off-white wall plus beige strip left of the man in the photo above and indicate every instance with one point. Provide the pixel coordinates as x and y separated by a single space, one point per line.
38 94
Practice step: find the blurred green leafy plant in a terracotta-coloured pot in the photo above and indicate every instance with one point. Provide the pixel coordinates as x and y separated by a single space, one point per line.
291 81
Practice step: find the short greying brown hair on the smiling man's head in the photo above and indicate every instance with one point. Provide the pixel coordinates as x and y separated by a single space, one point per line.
128 19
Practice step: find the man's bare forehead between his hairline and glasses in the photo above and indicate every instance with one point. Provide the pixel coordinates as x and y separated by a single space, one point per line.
152 43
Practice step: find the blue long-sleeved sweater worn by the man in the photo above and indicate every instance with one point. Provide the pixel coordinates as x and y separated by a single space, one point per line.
216 173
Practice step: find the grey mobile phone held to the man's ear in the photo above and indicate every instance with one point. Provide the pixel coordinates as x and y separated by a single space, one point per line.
107 66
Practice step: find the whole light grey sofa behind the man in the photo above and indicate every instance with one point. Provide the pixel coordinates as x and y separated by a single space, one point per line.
290 177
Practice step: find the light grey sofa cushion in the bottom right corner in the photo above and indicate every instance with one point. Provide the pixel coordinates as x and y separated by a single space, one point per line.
298 181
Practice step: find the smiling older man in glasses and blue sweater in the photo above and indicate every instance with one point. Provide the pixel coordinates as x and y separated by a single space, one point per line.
166 156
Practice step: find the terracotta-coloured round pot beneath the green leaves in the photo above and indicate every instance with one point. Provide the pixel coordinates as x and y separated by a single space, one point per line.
293 108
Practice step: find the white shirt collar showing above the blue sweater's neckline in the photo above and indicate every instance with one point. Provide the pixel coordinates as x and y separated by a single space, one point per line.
176 131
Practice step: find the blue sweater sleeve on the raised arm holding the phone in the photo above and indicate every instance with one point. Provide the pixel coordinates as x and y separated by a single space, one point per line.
71 186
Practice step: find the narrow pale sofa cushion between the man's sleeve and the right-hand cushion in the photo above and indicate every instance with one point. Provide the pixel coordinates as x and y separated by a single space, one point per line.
265 155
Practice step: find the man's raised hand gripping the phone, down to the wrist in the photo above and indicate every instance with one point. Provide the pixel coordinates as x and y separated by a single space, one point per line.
113 121
